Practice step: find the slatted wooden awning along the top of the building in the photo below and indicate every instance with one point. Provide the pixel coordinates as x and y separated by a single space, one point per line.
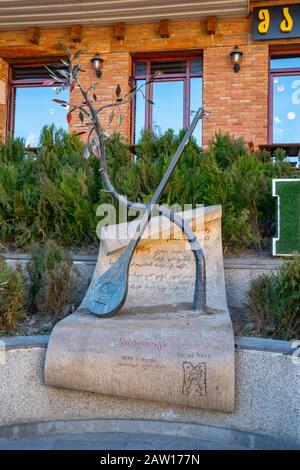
21 14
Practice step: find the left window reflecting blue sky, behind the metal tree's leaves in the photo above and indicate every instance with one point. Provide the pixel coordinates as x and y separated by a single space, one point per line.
31 106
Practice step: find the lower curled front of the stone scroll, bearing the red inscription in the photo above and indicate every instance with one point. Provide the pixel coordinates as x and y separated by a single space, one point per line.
164 353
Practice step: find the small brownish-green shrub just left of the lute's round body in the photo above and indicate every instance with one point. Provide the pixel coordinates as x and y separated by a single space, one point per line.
52 279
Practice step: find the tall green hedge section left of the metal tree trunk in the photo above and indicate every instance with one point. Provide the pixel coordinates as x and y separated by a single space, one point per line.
50 195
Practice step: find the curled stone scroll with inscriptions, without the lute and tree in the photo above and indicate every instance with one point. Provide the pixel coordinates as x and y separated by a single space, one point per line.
156 348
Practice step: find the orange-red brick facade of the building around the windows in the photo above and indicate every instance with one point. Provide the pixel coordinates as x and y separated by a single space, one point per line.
238 101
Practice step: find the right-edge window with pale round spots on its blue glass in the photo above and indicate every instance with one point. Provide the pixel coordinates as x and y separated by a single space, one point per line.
285 100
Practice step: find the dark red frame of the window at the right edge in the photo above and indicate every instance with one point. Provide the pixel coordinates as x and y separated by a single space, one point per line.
279 54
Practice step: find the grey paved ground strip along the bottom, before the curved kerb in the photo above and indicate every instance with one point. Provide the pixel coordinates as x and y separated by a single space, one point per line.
111 441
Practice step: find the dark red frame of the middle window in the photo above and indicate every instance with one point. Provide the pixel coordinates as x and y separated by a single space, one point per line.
185 77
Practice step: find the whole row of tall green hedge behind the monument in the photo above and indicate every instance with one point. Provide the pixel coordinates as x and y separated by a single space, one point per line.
54 194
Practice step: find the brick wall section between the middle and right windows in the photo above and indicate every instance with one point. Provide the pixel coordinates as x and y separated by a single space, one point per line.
238 102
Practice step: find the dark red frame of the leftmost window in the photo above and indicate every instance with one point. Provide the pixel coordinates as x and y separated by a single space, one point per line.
26 83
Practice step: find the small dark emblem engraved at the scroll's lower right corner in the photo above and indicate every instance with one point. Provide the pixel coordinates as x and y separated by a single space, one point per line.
194 378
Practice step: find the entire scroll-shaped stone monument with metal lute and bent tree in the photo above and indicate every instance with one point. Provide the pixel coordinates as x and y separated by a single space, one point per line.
169 336
